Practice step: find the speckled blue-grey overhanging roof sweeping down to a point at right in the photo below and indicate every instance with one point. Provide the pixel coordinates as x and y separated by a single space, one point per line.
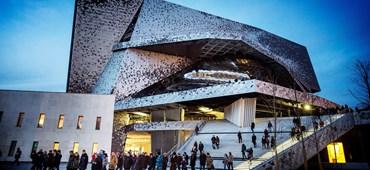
173 29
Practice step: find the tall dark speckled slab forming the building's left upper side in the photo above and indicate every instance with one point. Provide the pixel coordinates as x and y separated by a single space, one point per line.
98 25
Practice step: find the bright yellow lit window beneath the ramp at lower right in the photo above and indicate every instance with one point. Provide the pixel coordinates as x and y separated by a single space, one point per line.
336 153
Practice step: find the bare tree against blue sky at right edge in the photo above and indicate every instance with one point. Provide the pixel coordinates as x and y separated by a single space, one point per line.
361 70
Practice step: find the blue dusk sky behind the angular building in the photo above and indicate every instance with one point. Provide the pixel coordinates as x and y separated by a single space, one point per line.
35 38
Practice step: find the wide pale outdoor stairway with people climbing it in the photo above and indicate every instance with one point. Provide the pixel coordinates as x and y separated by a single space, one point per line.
289 149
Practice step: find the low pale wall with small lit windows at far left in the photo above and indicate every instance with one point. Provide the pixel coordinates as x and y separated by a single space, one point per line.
54 104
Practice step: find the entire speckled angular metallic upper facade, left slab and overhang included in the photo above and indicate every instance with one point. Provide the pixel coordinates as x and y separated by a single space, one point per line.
151 40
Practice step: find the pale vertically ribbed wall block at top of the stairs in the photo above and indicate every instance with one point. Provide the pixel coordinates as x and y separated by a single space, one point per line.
241 112
